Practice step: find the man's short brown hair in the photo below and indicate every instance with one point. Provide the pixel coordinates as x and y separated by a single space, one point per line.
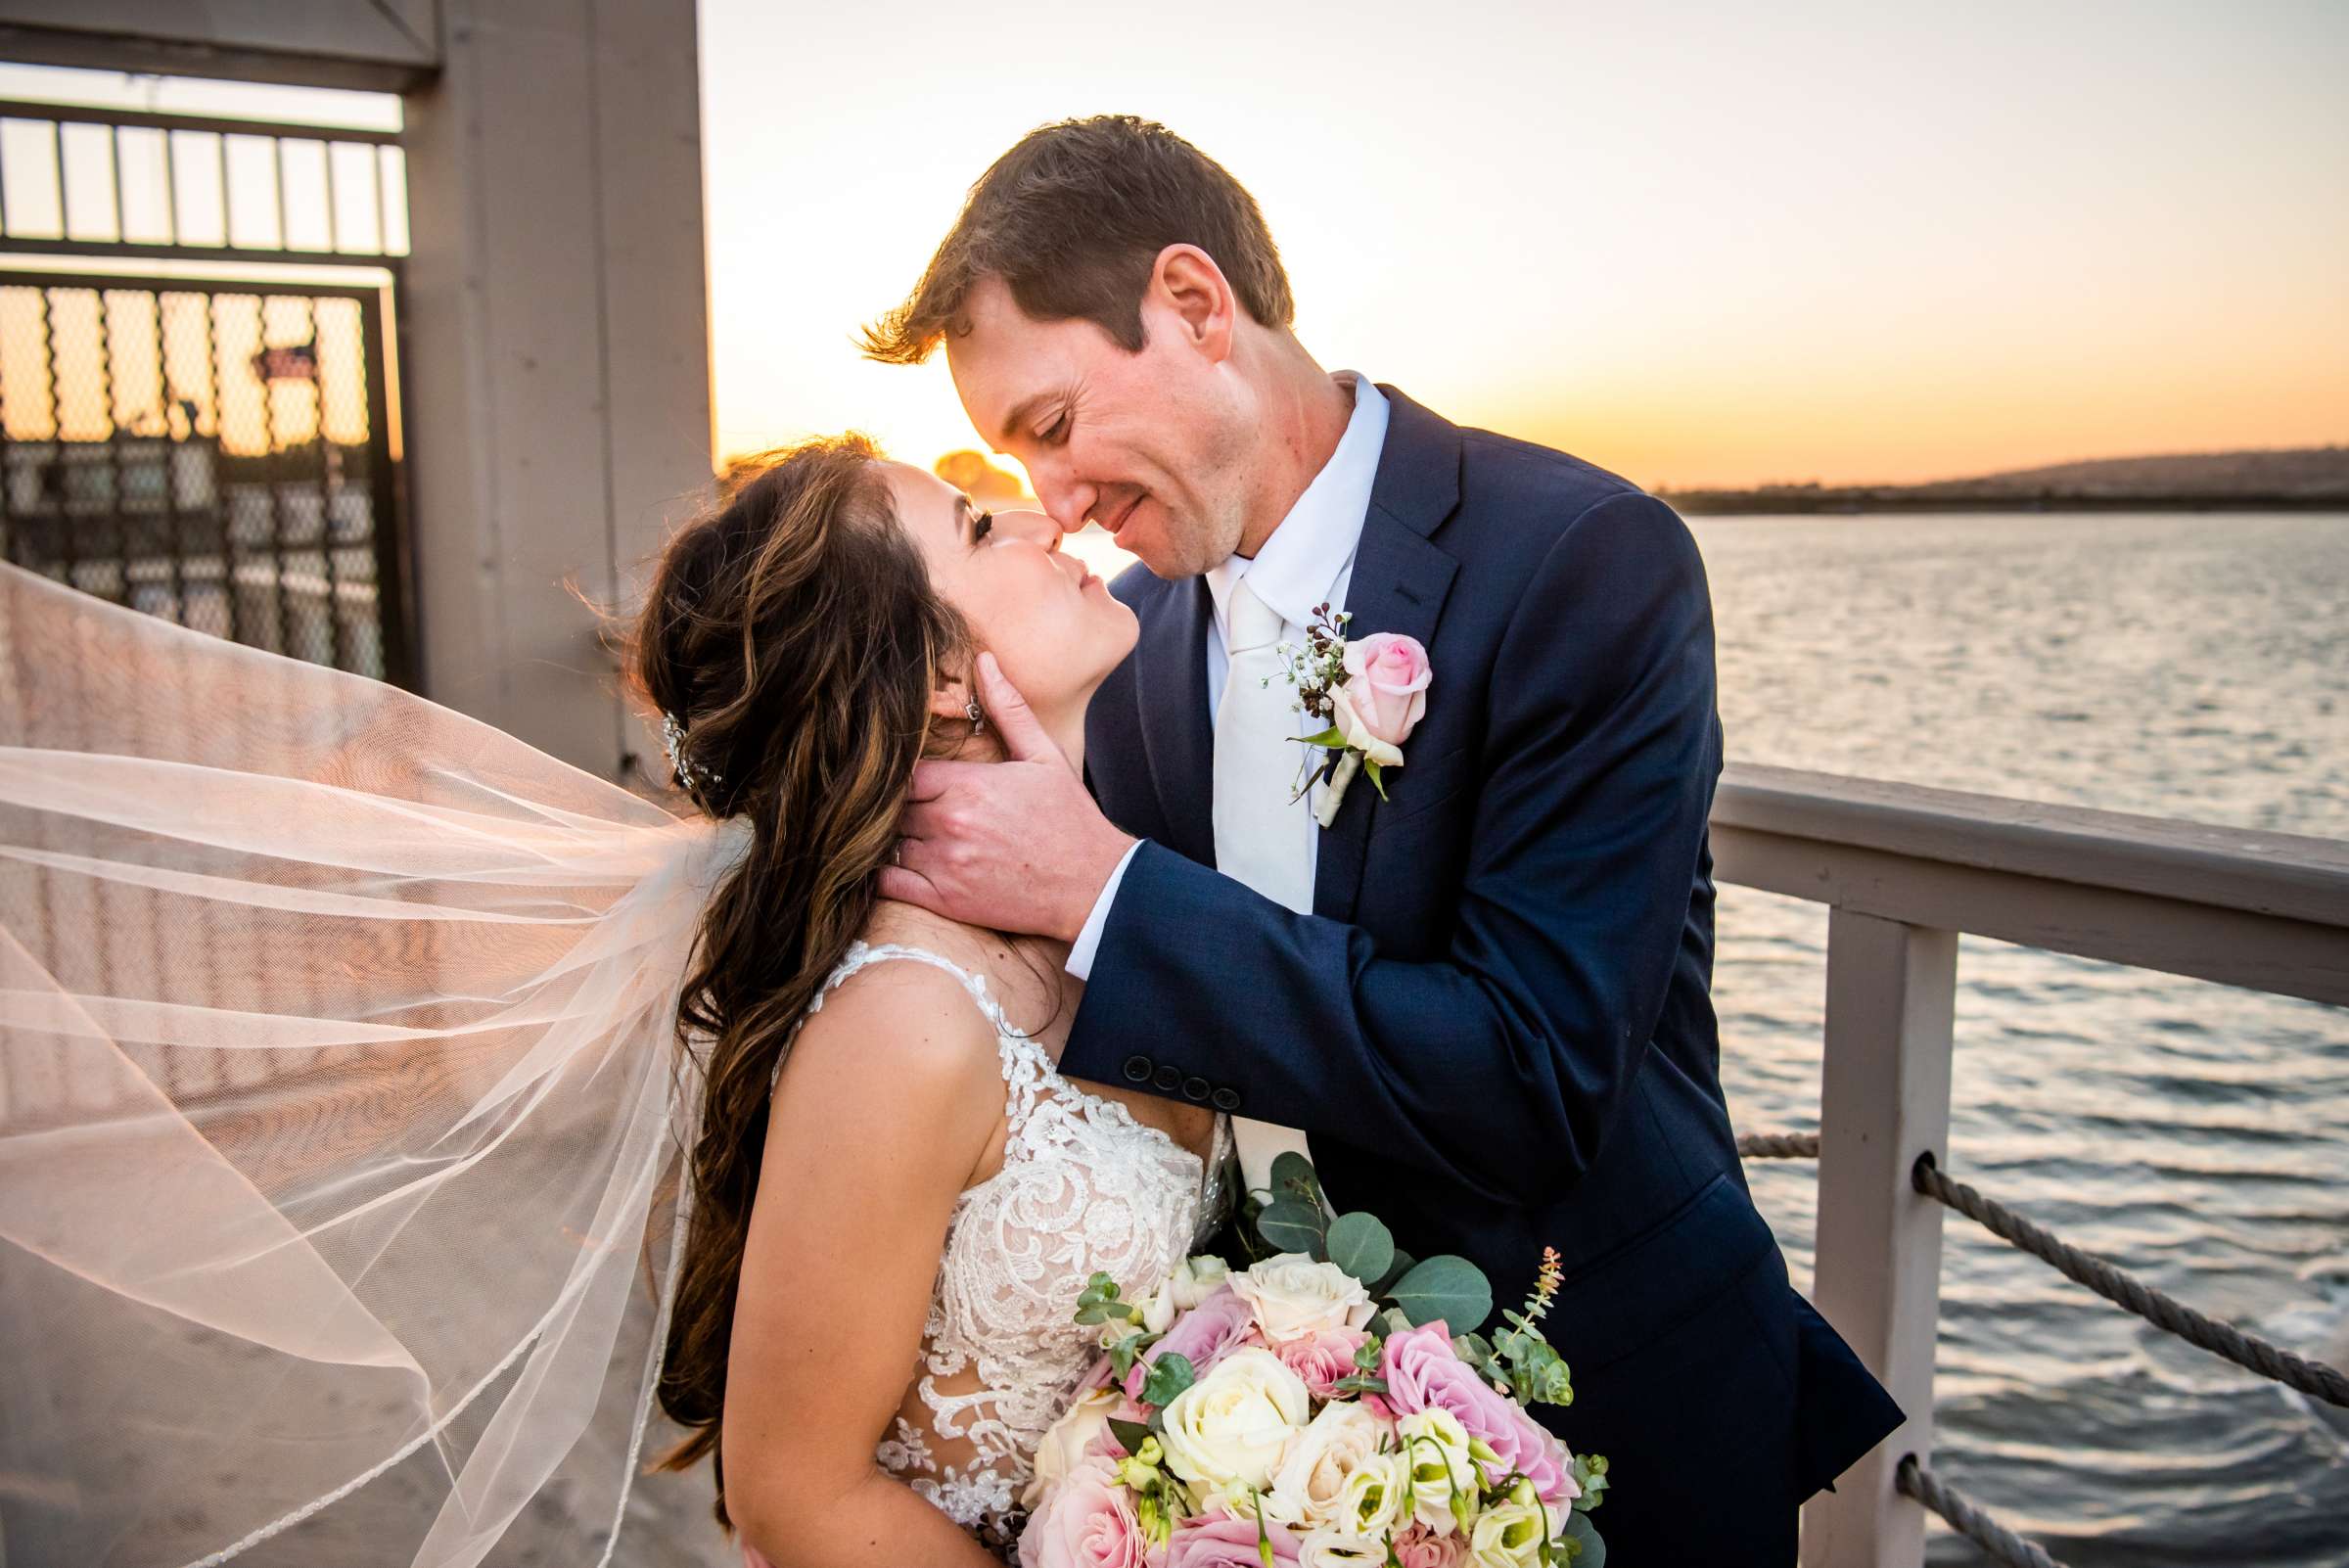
1072 219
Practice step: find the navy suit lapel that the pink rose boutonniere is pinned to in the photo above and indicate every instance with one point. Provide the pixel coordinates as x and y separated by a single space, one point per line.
1399 586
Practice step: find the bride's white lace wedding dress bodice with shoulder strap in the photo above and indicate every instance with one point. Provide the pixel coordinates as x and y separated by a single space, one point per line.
1084 1189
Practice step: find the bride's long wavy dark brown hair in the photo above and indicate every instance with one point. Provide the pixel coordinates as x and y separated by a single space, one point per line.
795 635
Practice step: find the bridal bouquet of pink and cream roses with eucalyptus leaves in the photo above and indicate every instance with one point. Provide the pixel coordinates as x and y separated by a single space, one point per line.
1314 1410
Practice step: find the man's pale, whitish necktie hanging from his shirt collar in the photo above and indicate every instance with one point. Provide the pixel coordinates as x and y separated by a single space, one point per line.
1260 837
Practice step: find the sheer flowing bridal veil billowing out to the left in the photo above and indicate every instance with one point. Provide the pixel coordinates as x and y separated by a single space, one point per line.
339 1107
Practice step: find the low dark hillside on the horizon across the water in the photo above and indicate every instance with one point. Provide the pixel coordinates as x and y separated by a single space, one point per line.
2303 480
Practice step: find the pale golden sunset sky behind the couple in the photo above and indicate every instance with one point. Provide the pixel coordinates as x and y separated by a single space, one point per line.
1697 245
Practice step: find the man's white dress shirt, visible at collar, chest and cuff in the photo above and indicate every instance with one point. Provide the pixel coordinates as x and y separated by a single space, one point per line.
1305 562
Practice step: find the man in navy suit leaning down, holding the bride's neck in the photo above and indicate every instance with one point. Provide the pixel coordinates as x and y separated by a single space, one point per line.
1483 999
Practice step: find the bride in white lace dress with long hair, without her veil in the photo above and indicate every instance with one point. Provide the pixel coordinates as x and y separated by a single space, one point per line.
816 640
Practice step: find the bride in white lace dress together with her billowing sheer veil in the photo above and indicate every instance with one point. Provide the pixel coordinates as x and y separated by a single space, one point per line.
361 1065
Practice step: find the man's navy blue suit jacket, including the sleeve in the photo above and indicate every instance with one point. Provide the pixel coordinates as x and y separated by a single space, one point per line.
1495 1027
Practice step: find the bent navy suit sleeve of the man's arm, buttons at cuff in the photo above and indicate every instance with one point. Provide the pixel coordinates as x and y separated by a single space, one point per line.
1507 1062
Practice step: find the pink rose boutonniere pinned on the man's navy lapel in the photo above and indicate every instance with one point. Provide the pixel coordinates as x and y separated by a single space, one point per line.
1371 691
